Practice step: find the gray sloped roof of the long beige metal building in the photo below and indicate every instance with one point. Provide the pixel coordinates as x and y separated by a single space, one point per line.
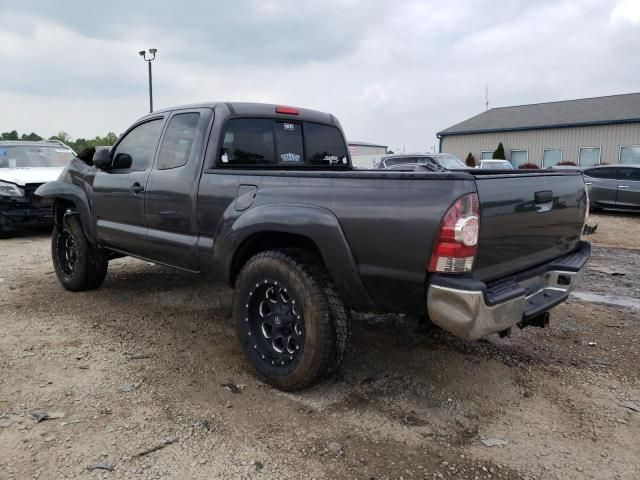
567 113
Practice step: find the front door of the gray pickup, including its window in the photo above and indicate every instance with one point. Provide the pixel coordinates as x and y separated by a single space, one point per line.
119 193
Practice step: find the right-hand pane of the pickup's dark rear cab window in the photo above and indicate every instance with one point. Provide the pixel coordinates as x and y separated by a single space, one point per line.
325 145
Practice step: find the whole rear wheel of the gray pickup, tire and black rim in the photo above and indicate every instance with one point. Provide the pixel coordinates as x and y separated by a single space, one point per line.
292 326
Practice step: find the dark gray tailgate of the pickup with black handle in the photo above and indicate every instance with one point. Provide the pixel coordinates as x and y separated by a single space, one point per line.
527 219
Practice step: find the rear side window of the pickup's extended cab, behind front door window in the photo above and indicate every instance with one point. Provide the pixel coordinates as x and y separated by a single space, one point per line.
177 141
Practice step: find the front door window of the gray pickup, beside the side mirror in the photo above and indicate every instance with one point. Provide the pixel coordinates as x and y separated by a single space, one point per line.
136 150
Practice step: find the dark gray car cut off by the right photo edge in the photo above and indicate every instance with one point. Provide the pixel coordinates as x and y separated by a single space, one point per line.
613 186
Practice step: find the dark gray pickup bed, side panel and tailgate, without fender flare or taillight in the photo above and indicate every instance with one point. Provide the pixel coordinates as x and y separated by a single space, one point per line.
390 218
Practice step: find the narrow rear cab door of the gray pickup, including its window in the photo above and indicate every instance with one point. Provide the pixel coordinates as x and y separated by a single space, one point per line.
172 189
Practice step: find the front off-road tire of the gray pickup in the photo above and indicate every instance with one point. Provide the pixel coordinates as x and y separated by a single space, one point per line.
90 264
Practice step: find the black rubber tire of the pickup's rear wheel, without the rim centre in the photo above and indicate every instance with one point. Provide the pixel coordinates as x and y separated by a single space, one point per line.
325 318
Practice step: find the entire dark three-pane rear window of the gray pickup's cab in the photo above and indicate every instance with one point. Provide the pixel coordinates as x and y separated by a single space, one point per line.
270 143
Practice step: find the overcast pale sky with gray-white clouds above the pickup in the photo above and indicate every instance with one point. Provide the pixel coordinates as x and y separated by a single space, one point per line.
394 72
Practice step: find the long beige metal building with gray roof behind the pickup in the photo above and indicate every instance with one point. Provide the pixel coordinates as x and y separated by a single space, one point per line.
589 131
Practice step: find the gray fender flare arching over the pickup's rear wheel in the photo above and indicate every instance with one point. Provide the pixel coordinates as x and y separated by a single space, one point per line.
315 223
